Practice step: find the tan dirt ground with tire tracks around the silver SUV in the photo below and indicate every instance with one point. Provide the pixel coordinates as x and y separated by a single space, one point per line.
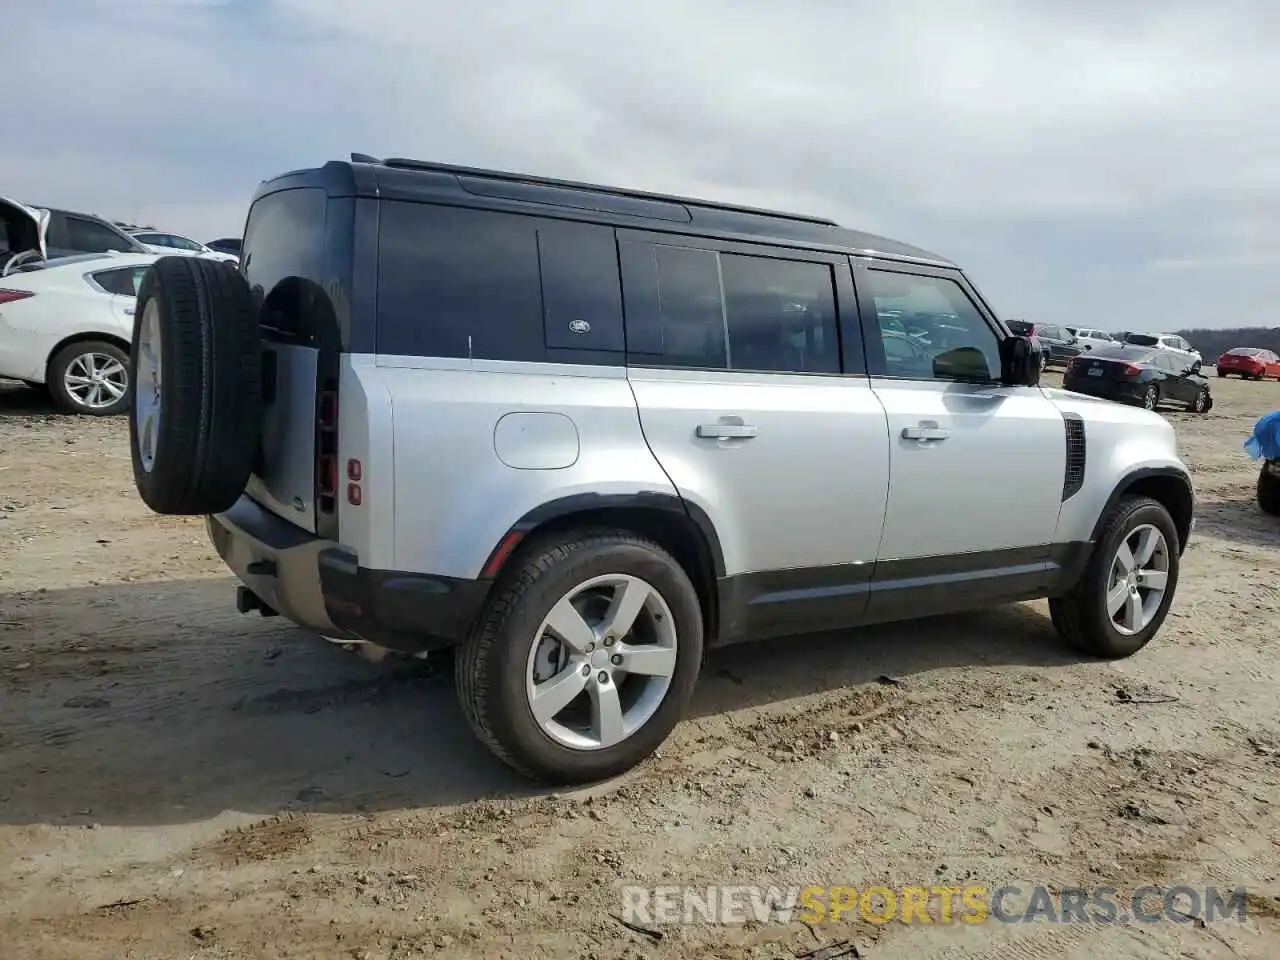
181 781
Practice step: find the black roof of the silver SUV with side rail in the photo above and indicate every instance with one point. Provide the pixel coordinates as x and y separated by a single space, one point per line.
465 186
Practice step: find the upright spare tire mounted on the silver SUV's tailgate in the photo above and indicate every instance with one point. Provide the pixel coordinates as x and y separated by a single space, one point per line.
195 374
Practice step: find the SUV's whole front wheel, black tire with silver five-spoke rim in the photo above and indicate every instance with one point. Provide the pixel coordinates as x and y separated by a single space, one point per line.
1128 586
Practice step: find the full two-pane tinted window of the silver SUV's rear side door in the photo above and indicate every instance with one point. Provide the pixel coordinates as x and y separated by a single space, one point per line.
702 309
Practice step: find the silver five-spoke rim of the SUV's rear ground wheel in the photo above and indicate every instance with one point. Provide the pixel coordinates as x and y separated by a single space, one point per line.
602 662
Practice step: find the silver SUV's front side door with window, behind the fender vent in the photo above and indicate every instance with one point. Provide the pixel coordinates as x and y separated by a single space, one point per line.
977 468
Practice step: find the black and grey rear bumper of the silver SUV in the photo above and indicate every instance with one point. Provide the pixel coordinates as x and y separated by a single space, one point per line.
321 586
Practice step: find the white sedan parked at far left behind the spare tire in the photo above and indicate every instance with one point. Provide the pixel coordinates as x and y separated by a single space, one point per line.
68 324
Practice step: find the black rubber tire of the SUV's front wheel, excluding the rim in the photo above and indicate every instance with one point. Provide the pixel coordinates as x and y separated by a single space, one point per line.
1084 618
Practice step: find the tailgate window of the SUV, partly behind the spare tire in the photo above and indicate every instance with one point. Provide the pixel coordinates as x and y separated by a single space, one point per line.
284 241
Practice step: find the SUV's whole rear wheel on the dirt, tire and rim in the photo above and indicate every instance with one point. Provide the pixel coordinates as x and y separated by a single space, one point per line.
586 657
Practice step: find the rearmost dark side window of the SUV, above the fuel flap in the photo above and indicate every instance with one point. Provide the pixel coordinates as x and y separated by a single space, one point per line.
469 284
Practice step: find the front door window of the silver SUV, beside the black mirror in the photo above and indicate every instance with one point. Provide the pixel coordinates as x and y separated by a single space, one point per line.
945 337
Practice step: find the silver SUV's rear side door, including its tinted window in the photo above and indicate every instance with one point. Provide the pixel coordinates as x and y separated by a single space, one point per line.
762 417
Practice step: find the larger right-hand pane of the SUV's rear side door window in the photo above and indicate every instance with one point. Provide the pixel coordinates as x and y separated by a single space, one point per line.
781 316
